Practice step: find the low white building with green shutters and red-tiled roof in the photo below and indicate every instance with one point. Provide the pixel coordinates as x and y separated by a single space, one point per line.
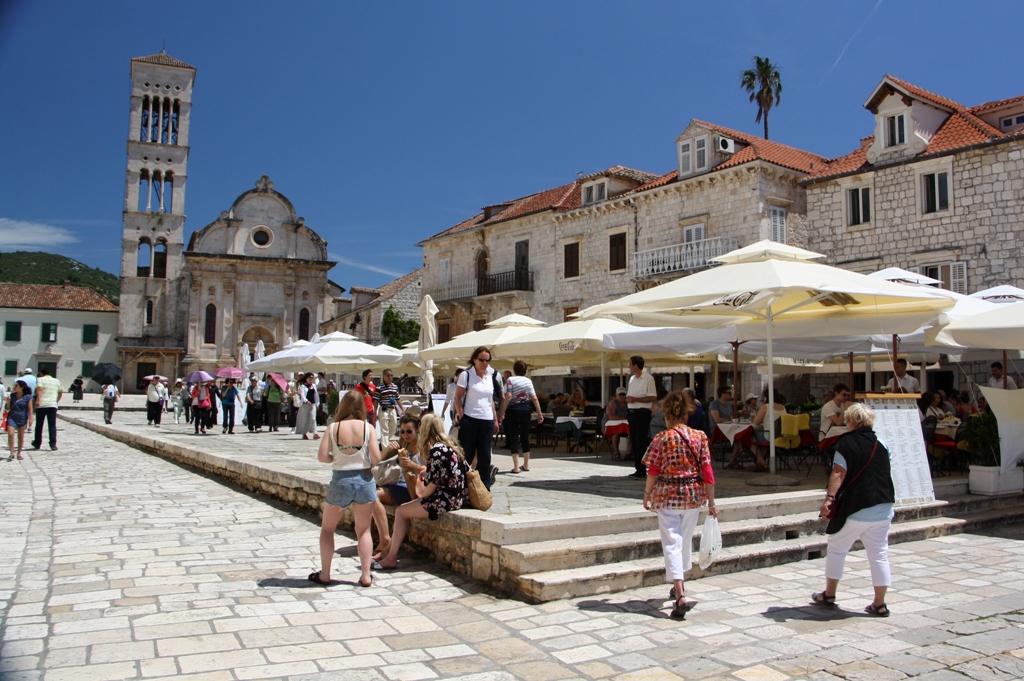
68 329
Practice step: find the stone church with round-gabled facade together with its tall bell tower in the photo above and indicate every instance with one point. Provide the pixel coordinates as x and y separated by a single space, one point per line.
258 273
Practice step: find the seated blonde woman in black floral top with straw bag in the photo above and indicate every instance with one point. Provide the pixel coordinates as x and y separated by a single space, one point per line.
442 488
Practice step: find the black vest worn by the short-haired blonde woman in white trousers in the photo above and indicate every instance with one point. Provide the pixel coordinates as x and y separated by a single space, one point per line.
873 487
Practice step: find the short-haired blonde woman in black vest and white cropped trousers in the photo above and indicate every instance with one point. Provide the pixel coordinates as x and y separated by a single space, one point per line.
860 506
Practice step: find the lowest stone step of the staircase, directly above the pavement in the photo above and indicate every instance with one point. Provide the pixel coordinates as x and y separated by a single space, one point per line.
609 578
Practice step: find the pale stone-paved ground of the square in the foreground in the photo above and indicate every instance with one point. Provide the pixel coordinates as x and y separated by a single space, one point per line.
116 565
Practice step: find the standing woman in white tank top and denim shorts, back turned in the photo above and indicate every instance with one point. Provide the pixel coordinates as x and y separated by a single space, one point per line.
351 447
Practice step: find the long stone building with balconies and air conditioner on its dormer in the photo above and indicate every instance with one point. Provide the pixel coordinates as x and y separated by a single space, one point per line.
615 232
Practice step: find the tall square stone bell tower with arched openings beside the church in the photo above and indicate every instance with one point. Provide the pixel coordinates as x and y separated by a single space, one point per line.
152 322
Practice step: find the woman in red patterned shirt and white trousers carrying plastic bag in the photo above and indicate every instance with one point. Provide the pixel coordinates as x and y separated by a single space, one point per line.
680 480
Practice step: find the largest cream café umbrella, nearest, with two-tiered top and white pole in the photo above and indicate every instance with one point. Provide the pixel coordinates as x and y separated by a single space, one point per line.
771 284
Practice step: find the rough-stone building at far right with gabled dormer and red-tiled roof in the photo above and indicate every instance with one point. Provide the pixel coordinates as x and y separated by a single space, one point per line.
937 189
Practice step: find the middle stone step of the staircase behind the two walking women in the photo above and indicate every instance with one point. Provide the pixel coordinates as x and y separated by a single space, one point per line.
617 547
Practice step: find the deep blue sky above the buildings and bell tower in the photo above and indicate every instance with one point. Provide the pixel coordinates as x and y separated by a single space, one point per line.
388 122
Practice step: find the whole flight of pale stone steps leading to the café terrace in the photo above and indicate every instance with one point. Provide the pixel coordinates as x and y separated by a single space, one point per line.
580 557
